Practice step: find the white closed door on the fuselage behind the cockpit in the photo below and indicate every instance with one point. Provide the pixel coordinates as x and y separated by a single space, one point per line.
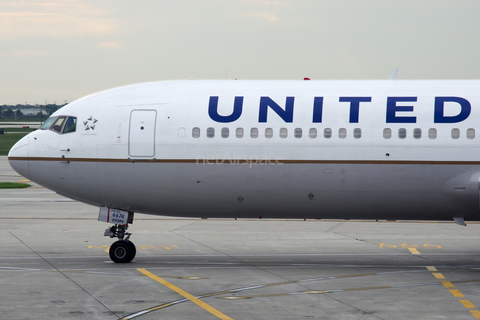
141 138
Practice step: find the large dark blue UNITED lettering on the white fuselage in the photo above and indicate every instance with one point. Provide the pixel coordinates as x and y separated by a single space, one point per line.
398 109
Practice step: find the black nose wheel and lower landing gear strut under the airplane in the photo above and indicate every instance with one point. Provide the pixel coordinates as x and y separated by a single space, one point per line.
123 250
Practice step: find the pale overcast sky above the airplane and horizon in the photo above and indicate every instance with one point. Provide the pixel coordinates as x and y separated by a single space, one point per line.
65 49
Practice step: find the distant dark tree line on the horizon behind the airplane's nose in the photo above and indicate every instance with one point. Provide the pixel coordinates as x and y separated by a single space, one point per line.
19 111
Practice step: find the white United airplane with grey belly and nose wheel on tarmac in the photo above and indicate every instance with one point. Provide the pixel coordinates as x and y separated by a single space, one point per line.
286 149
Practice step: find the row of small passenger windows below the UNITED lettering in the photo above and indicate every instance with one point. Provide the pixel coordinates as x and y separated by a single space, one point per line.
388 133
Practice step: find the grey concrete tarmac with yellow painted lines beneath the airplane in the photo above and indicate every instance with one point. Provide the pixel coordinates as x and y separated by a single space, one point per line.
54 265
